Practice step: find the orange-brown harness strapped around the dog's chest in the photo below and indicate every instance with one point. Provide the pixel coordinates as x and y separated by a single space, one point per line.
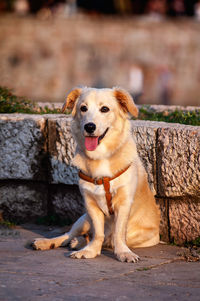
105 181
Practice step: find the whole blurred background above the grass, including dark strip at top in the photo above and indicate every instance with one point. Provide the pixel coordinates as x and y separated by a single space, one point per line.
149 47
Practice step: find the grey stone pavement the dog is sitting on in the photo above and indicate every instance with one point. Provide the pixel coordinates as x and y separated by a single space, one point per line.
162 274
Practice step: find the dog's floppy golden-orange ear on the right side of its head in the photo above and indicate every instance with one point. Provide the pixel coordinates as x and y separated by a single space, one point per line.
125 101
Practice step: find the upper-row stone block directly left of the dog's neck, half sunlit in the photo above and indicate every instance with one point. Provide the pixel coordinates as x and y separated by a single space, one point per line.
61 148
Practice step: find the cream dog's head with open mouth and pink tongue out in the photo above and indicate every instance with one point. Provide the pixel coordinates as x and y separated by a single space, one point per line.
100 119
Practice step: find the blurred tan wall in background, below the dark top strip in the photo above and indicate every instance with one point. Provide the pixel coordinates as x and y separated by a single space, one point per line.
158 62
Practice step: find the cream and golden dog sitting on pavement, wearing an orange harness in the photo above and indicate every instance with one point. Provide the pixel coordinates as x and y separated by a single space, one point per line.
121 212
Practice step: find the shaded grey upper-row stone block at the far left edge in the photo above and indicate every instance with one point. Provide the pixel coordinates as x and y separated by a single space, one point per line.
22 147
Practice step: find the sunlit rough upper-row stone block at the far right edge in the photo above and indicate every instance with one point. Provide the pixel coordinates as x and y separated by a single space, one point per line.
178 161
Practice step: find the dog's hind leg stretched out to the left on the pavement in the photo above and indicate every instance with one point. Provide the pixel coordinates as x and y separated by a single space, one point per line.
80 227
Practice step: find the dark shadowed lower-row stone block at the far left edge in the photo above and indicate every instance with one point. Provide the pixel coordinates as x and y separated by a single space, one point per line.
23 202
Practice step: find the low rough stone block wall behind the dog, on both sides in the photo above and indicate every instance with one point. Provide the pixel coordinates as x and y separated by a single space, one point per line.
37 178
